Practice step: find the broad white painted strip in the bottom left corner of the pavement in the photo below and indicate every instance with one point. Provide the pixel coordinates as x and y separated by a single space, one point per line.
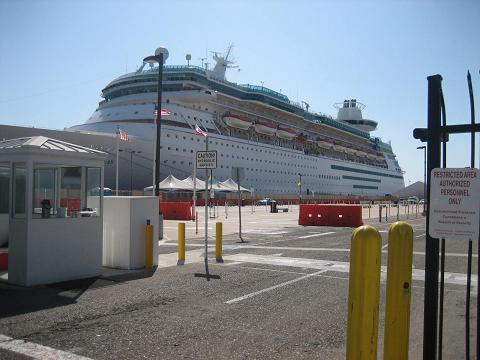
36 351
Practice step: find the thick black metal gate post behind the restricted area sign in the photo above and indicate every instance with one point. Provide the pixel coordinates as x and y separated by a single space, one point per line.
430 321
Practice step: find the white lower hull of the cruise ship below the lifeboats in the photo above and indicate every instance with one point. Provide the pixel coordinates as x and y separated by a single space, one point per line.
320 175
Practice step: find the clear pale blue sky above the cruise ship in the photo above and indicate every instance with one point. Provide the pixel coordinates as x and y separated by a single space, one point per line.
56 56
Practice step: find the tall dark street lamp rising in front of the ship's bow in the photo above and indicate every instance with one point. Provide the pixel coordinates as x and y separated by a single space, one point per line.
161 55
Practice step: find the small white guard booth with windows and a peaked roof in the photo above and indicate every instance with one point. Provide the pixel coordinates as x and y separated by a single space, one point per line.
55 215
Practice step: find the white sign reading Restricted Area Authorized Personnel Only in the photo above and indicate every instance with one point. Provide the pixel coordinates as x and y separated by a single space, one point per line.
454 203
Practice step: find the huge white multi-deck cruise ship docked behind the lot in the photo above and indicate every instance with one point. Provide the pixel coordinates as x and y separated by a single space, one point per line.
281 145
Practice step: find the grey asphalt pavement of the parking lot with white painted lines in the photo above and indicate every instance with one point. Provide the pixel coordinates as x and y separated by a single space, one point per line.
280 294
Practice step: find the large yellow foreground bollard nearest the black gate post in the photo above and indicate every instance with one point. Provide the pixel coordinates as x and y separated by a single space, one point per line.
399 283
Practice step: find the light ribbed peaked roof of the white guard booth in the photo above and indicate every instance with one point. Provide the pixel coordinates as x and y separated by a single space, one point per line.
42 142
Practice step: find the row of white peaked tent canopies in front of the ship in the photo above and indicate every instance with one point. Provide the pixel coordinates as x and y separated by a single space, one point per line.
171 183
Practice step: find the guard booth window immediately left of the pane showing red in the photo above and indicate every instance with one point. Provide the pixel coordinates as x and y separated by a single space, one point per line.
44 196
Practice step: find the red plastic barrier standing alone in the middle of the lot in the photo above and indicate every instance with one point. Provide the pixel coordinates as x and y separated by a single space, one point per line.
330 215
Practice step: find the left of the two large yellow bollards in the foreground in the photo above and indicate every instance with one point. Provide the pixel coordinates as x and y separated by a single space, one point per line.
364 293
